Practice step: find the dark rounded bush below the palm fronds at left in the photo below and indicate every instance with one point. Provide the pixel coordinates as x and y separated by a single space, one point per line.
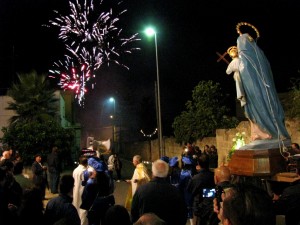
36 137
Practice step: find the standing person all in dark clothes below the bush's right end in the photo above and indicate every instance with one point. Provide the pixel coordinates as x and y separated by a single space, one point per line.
54 170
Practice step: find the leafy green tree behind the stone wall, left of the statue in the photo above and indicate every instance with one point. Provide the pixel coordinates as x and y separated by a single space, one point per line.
204 114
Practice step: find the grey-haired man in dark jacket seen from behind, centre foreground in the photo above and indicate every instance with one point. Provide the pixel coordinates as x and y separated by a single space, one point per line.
159 197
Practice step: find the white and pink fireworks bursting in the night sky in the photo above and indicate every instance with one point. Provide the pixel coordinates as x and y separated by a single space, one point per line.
92 38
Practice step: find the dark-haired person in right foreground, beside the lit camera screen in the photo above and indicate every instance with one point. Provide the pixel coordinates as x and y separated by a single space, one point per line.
246 204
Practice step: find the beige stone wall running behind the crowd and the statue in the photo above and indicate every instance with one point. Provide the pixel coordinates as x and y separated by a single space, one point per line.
223 142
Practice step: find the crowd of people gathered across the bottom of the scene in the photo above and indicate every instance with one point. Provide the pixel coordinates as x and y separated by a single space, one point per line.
175 191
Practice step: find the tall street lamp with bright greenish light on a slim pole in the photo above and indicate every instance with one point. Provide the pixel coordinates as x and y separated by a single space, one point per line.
150 32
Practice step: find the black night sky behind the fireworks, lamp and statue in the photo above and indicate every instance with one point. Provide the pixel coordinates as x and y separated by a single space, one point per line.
189 33
